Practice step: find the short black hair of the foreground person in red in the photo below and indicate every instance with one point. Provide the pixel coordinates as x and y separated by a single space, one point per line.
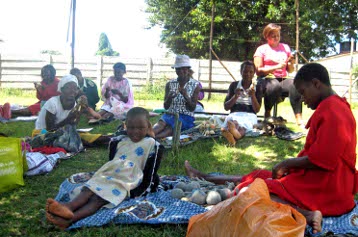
313 70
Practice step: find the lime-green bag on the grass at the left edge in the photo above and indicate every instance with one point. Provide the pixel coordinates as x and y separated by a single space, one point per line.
12 163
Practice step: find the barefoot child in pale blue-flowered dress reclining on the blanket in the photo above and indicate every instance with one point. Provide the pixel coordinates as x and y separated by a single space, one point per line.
132 172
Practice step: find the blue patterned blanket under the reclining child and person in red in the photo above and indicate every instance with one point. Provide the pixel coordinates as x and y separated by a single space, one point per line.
160 208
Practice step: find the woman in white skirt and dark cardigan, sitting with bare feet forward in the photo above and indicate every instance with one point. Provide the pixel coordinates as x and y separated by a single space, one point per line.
244 101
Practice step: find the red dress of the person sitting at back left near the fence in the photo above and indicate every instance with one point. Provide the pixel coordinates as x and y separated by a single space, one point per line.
43 94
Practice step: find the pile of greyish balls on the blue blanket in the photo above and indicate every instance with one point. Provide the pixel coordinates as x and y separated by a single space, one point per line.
202 193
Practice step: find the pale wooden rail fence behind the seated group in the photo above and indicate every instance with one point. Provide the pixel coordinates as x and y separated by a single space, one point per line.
18 71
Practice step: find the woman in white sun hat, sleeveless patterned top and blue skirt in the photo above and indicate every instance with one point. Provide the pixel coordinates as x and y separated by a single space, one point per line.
181 96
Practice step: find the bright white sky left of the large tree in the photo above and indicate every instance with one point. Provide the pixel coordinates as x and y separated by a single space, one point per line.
27 27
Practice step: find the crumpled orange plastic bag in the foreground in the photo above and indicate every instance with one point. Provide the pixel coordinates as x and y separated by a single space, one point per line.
251 213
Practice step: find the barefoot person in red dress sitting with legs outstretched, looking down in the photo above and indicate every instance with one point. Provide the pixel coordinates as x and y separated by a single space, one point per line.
322 179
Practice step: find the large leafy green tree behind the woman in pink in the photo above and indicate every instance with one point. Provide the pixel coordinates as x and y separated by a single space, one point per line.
238 25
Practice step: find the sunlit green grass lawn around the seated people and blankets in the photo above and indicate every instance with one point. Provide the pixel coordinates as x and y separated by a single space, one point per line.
22 209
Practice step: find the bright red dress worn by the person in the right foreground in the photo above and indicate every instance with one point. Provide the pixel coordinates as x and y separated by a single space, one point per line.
330 145
